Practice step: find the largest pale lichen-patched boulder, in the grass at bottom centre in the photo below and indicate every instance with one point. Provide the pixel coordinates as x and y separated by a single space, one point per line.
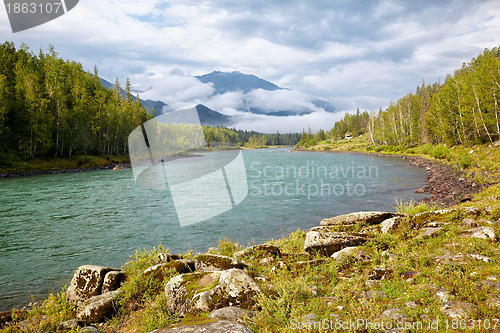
206 291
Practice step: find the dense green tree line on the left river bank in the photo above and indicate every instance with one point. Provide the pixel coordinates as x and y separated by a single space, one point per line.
52 107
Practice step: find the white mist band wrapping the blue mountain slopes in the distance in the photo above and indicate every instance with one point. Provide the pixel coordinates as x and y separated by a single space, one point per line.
239 100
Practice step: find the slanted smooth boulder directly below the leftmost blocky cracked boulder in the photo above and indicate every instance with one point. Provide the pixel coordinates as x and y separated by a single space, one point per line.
95 309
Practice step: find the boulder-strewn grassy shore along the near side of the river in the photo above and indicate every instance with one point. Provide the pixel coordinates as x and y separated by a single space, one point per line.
232 290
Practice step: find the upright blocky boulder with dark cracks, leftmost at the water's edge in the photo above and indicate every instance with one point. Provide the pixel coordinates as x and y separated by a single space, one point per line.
87 282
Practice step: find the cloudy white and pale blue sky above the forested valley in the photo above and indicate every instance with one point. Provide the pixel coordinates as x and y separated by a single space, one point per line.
354 54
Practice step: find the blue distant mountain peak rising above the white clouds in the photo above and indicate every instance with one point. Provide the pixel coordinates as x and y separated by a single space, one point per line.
236 81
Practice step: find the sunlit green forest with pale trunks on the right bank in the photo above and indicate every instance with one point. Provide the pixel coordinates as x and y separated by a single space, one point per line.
464 109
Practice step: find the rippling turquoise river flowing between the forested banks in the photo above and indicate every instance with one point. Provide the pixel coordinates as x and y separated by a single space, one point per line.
51 224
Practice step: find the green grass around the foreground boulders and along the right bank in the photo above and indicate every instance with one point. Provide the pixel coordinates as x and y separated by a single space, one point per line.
325 291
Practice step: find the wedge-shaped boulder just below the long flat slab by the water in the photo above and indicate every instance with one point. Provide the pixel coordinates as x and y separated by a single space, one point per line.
323 240
